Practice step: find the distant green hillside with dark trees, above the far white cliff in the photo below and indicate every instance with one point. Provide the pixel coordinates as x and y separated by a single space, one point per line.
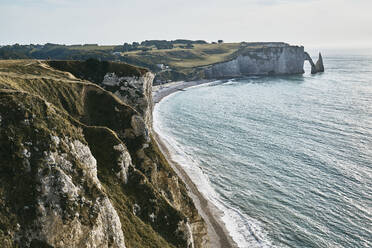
170 60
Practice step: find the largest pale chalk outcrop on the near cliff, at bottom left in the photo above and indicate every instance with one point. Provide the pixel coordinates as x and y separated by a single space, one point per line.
60 206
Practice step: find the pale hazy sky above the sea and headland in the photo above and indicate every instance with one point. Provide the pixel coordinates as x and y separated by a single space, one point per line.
313 23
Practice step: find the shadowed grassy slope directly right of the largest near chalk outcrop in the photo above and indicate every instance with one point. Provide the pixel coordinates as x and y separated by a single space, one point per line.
138 232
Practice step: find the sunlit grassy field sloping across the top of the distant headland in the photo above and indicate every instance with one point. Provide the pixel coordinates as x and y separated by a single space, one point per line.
187 64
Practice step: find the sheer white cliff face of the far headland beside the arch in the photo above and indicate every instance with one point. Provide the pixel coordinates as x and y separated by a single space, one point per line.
269 60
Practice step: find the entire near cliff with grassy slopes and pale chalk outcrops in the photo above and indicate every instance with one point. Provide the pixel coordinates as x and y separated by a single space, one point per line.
78 164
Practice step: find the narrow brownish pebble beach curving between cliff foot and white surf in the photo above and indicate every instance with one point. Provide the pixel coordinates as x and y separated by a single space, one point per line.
219 236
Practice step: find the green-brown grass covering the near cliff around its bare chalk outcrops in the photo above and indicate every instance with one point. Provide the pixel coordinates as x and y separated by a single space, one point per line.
37 102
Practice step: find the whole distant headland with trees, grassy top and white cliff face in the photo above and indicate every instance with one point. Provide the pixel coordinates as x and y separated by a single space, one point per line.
181 60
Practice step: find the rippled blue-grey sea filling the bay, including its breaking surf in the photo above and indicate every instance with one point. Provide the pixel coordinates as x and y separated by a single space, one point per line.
287 159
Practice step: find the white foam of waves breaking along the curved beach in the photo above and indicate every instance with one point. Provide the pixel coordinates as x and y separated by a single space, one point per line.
245 231
